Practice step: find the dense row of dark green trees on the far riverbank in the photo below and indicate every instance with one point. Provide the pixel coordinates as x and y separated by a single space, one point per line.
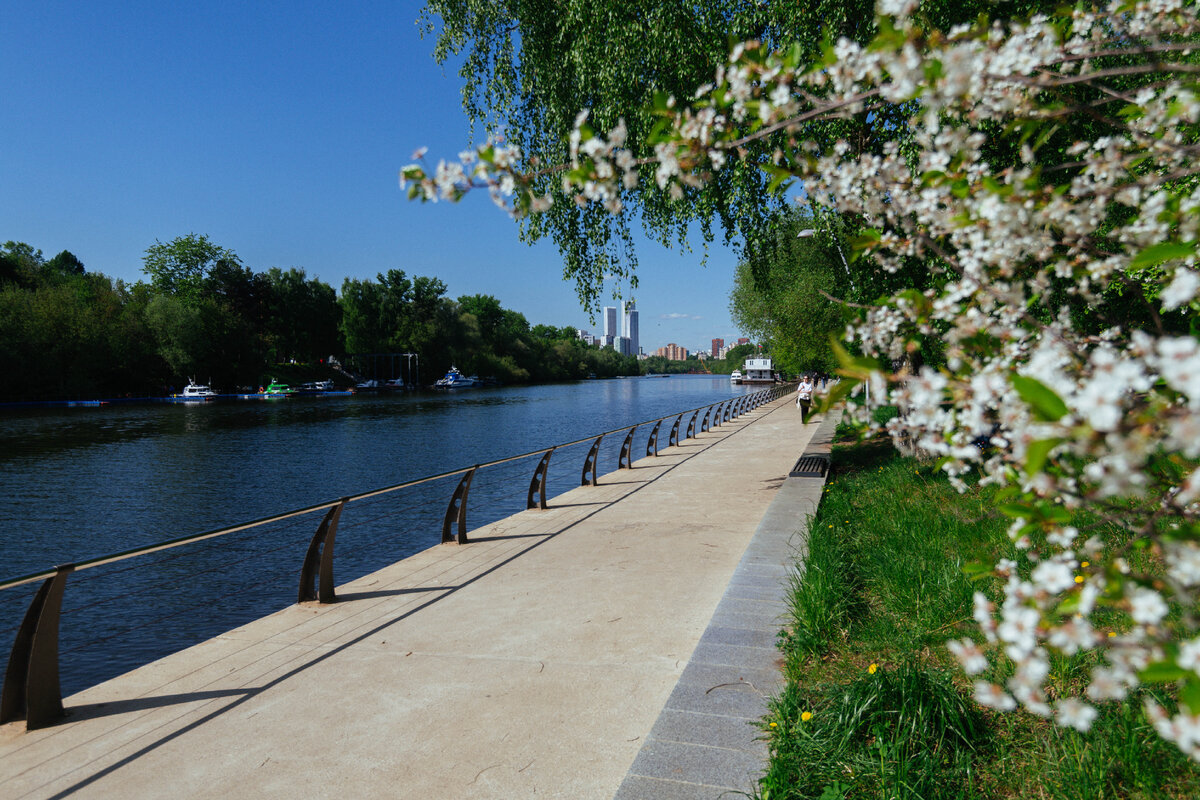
65 333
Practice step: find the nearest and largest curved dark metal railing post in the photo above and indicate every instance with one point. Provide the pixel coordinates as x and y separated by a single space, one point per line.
32 687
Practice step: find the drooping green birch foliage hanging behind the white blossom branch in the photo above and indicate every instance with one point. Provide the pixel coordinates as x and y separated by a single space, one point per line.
531 74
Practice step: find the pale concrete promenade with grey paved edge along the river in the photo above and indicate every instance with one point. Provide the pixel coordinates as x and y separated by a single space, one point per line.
538 661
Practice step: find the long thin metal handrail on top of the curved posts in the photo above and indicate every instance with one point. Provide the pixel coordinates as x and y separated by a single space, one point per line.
100 561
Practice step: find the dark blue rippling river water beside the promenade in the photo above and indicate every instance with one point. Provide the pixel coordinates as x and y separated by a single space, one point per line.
85 483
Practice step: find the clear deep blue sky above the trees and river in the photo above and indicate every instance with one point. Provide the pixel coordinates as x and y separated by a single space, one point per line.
278 130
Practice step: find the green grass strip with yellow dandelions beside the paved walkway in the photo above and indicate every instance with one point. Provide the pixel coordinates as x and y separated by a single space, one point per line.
884 585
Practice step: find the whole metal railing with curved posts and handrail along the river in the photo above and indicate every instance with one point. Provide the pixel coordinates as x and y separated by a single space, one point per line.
32 687
